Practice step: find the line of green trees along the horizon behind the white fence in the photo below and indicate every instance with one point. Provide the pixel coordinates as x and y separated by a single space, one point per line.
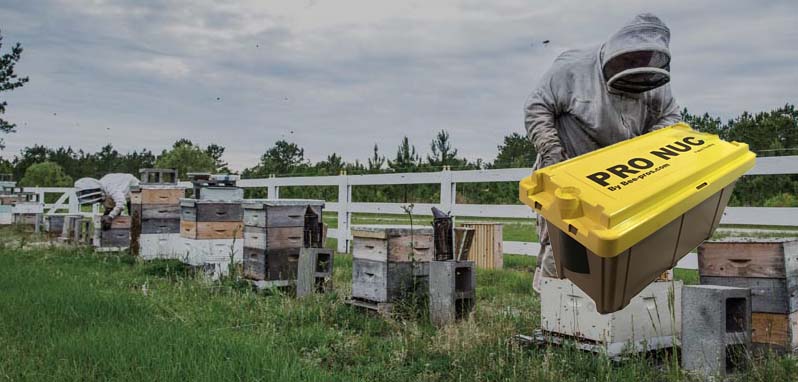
767 133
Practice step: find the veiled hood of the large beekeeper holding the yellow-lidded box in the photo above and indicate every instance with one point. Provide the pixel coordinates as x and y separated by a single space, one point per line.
636 59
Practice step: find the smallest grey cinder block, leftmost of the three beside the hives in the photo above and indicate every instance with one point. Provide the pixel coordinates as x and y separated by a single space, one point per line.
314 273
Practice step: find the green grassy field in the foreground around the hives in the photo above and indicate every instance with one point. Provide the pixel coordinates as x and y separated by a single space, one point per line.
71 314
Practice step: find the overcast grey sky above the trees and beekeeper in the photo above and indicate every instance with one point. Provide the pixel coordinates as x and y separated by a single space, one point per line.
340 76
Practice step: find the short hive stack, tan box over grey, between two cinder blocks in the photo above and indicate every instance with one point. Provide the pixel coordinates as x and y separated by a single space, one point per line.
389 262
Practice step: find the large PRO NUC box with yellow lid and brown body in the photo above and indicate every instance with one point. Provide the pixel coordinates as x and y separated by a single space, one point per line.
620 216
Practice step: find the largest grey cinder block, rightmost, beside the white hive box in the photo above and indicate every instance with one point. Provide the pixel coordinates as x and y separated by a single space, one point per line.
716 328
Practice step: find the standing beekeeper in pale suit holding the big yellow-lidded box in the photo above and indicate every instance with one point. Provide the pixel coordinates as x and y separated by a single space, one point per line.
592 98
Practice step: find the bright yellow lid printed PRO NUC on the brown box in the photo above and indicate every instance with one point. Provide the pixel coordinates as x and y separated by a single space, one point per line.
611 199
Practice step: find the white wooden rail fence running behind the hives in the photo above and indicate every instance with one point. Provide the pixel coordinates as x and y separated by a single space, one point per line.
448 181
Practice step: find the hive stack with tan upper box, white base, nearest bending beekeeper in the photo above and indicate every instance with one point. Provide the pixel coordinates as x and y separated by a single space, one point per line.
155 212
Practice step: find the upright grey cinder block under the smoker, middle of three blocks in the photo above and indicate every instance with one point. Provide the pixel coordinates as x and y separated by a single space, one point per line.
452 290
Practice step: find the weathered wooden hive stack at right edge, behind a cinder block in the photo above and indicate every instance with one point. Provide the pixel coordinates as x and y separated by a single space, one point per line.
769 267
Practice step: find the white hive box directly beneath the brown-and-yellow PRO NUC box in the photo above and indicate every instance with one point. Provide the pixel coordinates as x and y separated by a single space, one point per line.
648 322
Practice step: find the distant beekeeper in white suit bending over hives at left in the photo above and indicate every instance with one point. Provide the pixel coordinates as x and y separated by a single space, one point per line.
112 190
